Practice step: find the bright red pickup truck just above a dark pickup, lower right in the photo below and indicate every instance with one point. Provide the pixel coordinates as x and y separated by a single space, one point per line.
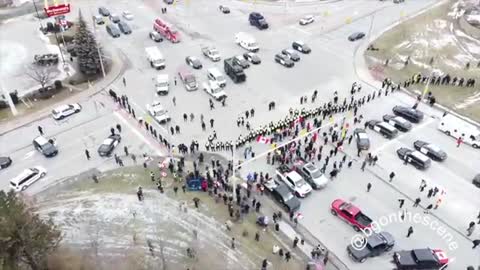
351 214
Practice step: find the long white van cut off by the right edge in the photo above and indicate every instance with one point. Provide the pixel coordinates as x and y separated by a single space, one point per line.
457 127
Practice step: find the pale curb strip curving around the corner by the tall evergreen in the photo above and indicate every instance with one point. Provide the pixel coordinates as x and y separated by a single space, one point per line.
44 112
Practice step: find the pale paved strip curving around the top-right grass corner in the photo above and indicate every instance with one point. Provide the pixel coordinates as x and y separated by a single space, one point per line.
360 50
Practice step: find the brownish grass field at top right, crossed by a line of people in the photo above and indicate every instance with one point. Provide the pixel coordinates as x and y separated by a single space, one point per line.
434 34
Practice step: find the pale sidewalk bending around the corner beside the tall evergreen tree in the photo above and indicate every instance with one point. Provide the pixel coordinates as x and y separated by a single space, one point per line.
117 69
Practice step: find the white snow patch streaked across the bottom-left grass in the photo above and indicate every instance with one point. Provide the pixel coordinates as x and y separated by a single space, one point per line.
113 220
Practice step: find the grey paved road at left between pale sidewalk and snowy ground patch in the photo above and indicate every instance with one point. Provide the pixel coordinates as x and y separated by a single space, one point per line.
85 130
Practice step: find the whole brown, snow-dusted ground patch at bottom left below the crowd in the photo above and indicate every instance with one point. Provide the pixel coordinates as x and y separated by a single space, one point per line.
108 216
